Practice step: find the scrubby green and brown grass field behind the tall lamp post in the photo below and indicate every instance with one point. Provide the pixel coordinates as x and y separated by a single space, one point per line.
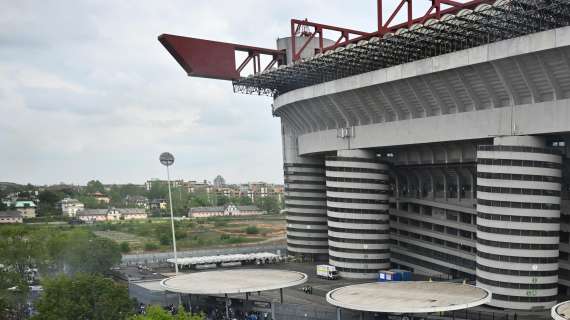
155 234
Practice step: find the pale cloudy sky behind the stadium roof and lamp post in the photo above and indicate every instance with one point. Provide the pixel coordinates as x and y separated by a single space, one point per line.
87 91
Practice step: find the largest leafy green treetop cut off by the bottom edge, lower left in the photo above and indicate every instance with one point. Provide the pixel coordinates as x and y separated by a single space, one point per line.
83 296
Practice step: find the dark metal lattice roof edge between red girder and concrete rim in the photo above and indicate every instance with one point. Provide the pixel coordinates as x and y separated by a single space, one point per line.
505 19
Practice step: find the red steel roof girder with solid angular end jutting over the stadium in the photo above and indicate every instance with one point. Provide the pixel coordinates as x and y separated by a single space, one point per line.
217 60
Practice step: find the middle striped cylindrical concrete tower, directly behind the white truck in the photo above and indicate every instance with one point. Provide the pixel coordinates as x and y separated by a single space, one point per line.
357 211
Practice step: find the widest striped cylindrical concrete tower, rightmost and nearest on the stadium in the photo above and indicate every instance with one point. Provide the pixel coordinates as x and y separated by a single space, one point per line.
518 221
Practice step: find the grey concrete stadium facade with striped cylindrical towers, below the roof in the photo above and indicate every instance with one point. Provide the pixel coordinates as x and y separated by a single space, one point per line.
452 166
